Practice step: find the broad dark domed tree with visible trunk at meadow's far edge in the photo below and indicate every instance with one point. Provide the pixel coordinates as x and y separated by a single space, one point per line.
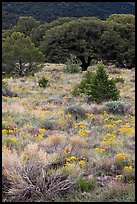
79 37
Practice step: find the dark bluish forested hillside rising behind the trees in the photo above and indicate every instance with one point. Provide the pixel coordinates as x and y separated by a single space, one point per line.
49 11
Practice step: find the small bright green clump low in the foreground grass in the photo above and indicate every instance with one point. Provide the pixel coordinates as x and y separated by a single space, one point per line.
86 184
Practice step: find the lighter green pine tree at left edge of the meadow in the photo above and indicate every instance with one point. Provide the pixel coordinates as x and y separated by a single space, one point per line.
19 54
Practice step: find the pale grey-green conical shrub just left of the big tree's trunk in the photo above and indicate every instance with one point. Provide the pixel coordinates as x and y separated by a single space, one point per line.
72 65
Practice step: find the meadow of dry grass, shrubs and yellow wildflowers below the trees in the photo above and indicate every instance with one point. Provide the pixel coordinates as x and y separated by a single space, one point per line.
50 148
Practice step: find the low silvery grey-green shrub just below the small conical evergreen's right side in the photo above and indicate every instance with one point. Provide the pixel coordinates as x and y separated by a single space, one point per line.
117 107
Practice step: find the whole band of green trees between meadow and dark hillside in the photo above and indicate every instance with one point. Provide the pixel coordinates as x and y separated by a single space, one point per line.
87 38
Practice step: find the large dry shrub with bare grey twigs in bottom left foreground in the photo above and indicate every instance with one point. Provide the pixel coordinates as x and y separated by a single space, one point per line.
27 177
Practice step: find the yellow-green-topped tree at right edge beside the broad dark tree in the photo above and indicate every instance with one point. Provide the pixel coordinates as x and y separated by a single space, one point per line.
124 25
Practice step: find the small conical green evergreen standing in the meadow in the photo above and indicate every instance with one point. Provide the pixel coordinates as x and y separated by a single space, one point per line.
97 86
